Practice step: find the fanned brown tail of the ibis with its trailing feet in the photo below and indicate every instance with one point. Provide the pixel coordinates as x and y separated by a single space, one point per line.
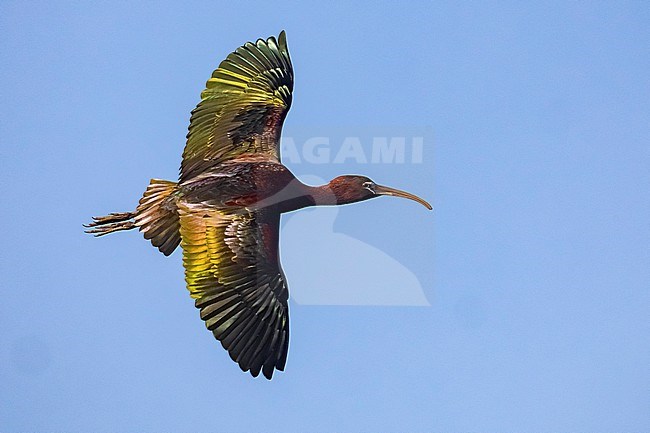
156 217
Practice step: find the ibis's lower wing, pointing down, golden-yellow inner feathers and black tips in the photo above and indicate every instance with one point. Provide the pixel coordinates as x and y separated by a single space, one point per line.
232 270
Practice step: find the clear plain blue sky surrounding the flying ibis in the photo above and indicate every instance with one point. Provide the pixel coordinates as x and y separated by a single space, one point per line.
535 260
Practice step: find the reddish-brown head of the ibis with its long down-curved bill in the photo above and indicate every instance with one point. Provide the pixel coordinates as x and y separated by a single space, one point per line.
354 188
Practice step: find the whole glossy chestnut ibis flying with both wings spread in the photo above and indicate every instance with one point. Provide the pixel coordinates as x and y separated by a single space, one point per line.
225 209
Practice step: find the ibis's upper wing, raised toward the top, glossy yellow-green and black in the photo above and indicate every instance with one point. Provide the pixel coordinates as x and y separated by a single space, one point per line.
242 108
